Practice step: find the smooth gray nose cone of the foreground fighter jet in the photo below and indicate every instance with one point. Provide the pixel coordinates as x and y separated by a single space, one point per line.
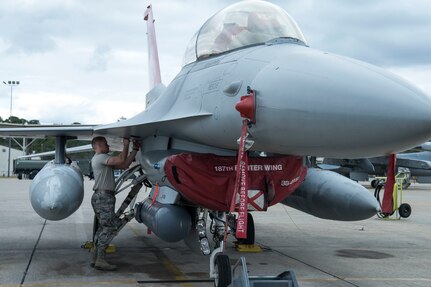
326 105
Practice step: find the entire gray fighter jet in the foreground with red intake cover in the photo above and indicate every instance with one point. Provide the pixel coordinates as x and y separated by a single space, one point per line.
248 74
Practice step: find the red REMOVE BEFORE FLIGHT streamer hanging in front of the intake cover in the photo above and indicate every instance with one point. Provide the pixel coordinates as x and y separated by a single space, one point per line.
241 186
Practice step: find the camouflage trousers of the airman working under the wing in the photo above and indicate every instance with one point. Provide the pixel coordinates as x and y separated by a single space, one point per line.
108 223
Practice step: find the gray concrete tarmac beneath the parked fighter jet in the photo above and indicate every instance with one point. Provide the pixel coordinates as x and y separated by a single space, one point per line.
374 252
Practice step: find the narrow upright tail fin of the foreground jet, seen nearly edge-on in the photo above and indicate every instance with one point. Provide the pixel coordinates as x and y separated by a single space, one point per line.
153 54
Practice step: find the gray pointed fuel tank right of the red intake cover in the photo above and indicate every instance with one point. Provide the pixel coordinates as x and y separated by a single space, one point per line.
328 195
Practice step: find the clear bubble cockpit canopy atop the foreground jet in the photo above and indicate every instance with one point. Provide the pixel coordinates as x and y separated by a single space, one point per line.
239 25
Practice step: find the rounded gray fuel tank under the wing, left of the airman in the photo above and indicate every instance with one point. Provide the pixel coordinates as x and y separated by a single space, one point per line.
57 191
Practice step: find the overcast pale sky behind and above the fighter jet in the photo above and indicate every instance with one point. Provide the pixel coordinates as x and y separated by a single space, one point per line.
86 61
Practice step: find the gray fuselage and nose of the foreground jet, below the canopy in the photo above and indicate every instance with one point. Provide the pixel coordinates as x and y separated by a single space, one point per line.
308 102
